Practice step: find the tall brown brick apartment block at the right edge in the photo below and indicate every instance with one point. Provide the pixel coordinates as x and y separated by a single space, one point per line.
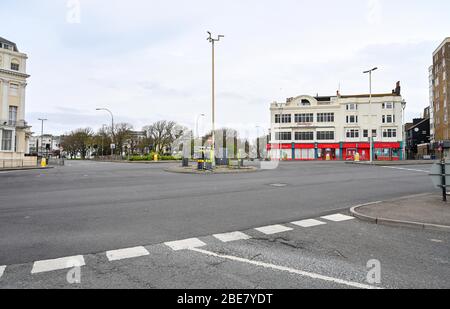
440 93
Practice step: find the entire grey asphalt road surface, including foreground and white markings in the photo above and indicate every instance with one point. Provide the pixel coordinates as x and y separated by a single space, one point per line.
124 224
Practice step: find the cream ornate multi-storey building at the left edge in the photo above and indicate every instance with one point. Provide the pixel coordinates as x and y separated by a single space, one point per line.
14 131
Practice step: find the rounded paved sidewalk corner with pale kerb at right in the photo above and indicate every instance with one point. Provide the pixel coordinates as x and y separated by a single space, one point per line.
426 211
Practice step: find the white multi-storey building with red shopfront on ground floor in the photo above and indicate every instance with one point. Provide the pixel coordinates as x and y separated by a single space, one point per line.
338 127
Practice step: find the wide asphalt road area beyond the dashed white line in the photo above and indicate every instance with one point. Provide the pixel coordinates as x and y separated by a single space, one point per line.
88 207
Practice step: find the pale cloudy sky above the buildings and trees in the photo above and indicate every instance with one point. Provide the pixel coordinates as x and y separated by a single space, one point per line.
149 60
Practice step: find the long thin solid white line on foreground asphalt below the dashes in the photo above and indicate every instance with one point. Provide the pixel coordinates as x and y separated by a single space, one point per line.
287 269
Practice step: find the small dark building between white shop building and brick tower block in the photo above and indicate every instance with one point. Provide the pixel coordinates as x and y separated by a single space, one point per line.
418 133
